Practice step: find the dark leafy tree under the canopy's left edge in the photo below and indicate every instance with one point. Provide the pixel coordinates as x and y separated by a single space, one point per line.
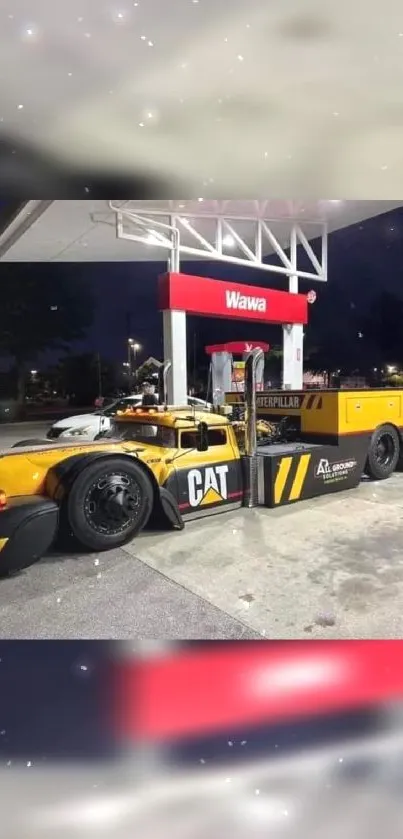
40 312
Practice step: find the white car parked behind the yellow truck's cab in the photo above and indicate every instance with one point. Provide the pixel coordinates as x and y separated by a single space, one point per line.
88 426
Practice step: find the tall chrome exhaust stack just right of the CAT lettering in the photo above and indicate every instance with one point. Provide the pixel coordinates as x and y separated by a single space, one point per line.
250 460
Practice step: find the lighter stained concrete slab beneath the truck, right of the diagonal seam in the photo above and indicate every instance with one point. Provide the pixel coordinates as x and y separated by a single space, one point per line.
331 567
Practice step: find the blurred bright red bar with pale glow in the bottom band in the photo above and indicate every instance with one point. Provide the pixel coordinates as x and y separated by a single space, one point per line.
192 693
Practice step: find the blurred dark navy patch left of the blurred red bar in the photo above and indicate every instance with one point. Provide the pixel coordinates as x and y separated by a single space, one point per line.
53 701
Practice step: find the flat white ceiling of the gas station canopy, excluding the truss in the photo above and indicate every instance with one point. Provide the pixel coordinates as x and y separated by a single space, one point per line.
85 230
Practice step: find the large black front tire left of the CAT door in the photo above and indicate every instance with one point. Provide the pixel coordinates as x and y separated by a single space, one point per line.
109 502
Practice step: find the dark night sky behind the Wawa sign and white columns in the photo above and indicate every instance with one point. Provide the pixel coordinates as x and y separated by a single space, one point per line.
363 259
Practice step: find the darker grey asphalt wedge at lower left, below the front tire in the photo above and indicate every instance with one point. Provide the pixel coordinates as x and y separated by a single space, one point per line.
112 595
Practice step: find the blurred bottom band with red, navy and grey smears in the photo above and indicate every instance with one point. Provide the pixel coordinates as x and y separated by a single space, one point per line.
204 740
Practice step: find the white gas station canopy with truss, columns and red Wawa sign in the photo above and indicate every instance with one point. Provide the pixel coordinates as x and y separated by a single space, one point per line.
231 231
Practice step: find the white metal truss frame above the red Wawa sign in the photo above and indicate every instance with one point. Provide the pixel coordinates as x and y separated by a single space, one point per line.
162 229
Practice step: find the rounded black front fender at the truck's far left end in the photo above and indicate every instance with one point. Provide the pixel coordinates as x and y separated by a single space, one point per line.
28 526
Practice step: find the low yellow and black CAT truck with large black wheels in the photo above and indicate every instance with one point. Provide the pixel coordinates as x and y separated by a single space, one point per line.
173 464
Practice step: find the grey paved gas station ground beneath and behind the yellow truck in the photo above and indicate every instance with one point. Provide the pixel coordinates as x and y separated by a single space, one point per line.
327 568
